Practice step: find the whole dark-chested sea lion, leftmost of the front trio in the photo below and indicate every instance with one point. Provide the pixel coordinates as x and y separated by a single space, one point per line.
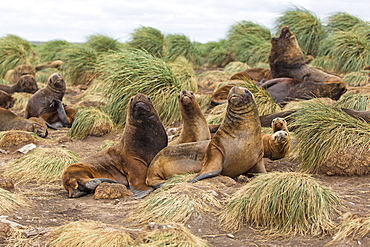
125 162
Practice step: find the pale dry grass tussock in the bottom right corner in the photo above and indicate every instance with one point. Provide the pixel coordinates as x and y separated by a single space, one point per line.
355 227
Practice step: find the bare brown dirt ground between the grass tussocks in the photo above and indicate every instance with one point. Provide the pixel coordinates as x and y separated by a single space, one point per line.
50 205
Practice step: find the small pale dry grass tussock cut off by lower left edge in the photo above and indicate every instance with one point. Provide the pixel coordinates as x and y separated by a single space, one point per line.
10 201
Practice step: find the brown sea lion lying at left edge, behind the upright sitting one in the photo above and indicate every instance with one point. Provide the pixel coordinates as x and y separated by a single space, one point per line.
25 84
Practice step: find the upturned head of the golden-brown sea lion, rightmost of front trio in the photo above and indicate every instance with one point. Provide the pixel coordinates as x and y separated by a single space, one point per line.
241 98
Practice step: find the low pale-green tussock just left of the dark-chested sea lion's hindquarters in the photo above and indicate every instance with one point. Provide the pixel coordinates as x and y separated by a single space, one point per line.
43 165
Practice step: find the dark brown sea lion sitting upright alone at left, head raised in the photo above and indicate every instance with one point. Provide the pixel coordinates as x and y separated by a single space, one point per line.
46 103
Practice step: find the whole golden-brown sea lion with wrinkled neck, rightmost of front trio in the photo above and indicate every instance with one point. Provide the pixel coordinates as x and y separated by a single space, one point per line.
235 149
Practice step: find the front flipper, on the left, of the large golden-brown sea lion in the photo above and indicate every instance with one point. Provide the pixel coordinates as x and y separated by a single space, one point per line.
213 164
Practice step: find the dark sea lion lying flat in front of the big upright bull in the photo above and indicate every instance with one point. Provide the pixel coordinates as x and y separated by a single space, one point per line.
286 89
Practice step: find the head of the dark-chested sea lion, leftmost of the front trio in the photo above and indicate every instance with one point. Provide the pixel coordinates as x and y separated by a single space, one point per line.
140 108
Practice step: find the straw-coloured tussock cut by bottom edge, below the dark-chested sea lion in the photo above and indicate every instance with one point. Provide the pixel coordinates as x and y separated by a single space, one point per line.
89 233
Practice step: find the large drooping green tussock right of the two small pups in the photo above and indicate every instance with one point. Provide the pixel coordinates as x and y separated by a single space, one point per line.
322 131
